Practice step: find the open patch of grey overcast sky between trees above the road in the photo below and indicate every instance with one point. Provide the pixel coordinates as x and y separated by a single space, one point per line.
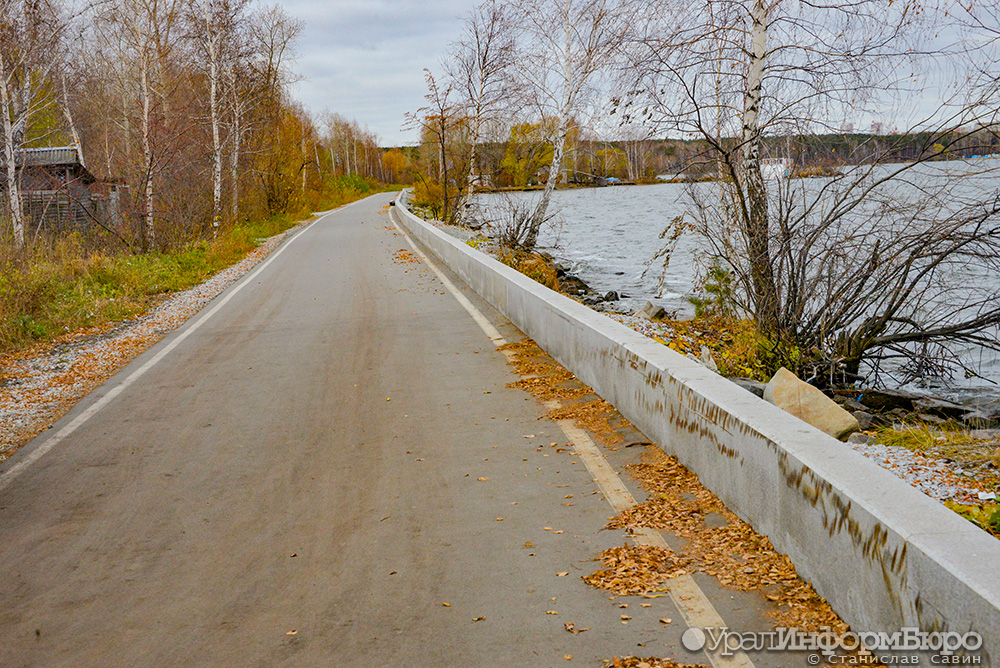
365 59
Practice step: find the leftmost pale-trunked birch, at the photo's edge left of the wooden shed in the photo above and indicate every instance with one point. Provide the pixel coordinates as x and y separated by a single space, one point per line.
30 45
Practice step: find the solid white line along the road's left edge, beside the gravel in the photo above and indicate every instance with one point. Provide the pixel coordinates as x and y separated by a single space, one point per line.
37 453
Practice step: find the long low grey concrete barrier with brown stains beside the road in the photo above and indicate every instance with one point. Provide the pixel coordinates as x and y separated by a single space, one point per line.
885 555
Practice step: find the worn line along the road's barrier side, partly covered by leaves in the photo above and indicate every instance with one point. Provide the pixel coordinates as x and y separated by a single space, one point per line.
694 606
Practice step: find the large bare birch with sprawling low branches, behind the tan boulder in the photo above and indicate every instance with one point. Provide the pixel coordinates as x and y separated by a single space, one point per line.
860 266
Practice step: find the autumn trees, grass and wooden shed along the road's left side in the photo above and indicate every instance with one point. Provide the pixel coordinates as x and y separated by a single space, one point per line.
146 146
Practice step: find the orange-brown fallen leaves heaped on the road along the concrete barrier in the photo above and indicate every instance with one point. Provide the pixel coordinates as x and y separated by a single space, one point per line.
724 547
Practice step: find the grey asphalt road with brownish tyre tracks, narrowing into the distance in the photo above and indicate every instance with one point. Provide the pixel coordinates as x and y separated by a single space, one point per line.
307 479
